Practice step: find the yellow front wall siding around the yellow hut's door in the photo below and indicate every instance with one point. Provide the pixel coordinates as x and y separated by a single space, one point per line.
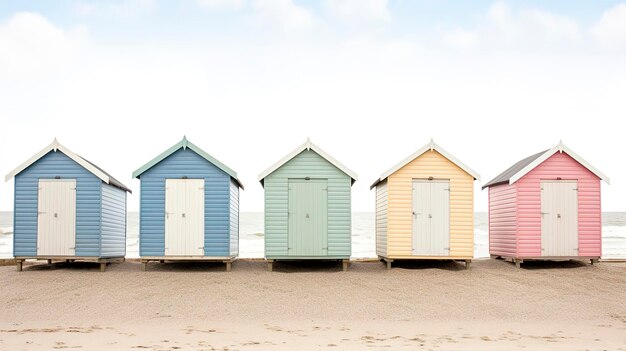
400 188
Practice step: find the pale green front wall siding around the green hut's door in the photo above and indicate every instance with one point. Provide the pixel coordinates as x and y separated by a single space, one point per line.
307 164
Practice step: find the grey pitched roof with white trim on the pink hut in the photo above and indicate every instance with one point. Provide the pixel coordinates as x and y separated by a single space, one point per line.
521 168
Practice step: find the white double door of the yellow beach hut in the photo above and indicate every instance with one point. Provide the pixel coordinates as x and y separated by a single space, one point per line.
431 218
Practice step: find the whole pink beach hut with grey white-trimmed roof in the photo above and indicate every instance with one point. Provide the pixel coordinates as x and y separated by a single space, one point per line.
546 206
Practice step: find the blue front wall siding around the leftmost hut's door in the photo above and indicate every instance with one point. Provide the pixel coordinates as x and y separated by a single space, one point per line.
88 204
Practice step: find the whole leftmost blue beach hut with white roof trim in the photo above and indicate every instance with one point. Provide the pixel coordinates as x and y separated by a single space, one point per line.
67 208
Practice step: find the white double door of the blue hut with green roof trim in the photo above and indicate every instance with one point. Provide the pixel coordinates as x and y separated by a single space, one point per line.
184 217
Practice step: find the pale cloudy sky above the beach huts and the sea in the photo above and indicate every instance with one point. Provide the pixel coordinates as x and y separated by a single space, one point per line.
369 81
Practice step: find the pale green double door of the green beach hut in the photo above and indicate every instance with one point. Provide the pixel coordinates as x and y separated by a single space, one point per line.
308 217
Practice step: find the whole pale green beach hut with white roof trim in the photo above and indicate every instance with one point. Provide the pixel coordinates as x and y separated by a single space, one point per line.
307 207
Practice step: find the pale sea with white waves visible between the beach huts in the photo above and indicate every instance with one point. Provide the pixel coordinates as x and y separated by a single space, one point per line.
363 235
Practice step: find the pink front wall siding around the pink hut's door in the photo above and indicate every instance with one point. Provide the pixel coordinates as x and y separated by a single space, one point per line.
529 202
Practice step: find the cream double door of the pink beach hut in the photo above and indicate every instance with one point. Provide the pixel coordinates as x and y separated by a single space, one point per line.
559 218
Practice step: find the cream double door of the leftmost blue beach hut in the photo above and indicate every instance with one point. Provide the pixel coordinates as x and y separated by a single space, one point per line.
56 220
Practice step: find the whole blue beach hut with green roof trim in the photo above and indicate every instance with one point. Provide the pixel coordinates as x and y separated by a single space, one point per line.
189 207
